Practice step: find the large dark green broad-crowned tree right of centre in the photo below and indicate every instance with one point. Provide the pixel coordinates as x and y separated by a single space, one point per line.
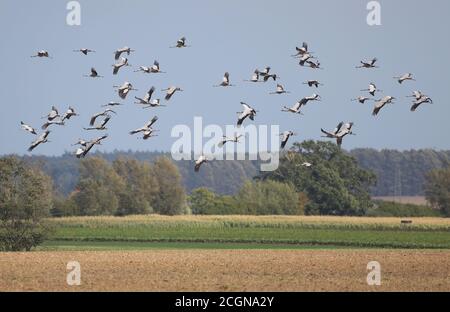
334 184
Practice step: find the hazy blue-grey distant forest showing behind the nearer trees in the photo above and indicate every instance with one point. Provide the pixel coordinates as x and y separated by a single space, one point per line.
399 173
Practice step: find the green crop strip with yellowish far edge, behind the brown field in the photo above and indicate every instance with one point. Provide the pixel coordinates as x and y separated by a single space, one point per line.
147 232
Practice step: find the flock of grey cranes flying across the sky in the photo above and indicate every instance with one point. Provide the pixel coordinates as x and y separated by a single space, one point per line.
99 121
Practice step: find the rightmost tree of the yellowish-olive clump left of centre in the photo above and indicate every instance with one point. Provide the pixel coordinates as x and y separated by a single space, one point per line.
171 198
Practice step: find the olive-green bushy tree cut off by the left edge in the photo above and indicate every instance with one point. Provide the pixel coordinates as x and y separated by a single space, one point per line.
25 199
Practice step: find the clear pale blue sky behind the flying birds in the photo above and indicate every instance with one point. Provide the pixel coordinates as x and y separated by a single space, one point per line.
235 36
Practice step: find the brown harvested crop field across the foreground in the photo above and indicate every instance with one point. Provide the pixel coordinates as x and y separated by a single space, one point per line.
227 270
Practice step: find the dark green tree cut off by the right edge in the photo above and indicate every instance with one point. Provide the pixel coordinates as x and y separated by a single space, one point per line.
437 189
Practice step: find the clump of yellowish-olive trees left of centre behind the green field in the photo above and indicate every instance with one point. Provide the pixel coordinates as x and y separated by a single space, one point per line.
124 187
